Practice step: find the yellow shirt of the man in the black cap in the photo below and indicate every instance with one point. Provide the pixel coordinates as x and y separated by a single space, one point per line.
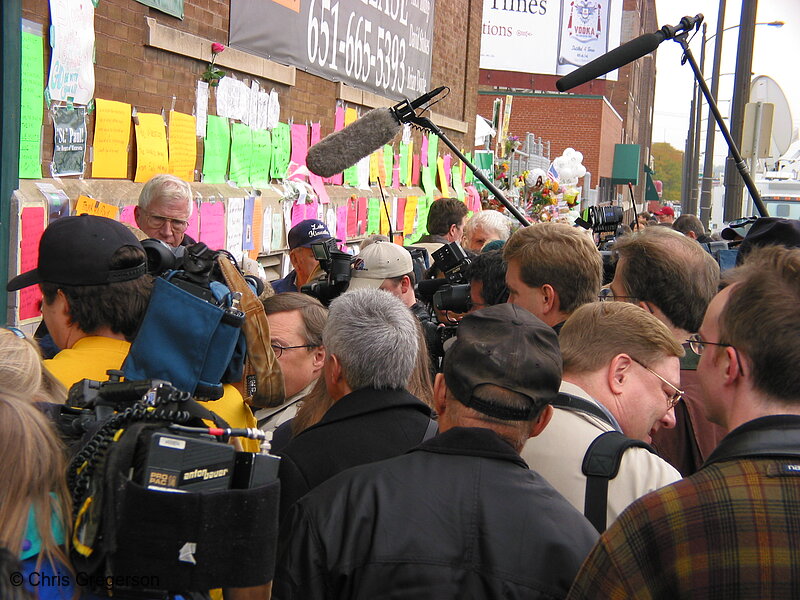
90 357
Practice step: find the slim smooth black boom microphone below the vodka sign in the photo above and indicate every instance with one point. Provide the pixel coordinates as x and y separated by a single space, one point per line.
625 54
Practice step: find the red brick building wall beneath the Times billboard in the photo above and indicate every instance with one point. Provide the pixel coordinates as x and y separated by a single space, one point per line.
586 123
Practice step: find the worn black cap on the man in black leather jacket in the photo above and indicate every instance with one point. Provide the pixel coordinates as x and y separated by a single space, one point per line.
508 347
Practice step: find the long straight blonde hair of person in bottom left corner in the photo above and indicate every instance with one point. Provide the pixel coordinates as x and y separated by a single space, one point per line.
33 476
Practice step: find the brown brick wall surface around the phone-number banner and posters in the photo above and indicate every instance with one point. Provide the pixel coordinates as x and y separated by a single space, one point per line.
127 70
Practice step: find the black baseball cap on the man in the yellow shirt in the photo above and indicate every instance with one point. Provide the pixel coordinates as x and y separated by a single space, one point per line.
78 250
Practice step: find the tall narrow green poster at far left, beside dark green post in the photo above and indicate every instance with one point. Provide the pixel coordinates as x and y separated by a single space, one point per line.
31 106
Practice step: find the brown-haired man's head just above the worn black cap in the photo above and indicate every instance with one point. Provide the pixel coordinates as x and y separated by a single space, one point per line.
552 270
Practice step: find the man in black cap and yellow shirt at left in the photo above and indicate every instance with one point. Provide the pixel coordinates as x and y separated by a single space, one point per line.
93 275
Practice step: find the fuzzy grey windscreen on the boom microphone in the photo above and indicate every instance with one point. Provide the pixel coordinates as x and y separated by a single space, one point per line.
359 139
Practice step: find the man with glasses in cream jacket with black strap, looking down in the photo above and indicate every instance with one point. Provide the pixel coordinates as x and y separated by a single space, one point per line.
621 369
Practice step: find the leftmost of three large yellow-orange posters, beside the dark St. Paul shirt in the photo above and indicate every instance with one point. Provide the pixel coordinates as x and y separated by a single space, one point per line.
112 132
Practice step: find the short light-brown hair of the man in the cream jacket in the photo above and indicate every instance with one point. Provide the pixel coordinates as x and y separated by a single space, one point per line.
597 332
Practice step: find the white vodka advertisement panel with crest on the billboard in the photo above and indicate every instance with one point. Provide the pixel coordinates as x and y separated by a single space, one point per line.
583 34
